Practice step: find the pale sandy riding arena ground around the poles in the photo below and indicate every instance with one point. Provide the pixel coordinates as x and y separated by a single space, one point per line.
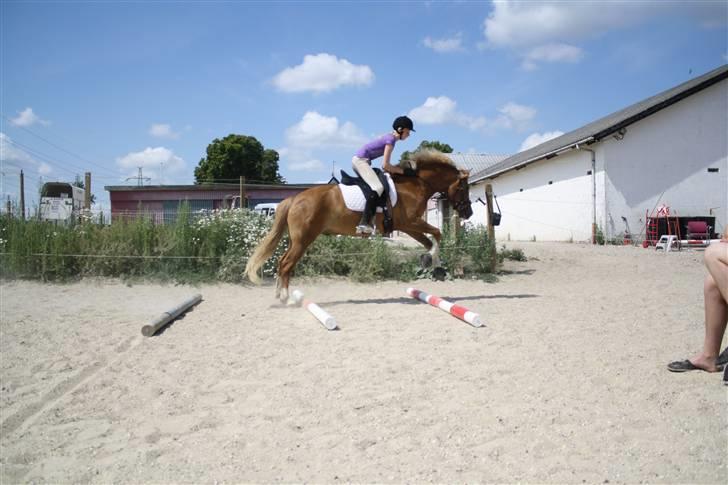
565 383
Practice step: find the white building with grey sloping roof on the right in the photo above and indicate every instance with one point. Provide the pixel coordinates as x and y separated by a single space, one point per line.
670 149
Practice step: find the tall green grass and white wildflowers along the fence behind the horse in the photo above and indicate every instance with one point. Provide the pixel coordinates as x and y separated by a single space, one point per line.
213 246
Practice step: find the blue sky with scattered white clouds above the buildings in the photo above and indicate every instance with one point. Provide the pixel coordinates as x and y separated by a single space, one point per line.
106 87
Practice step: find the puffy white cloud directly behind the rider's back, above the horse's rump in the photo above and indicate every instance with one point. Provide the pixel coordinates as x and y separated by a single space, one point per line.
314 132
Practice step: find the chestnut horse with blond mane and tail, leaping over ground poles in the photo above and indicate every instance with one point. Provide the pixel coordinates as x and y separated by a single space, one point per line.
321 210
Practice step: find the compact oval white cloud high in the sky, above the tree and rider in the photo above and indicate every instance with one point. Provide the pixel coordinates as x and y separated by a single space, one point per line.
322 73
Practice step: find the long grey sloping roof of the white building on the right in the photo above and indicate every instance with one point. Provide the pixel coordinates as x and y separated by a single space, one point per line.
603 127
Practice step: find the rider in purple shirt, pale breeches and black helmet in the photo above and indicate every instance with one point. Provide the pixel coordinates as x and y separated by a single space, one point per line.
362 162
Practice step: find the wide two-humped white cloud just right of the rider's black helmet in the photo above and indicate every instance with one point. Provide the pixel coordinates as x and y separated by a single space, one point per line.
442 110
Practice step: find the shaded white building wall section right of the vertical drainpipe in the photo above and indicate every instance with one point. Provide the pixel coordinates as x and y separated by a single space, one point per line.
664 159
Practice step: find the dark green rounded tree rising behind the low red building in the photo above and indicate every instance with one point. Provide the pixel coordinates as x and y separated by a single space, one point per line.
235 156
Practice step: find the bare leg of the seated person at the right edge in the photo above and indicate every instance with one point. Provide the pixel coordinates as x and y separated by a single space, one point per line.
715 292
